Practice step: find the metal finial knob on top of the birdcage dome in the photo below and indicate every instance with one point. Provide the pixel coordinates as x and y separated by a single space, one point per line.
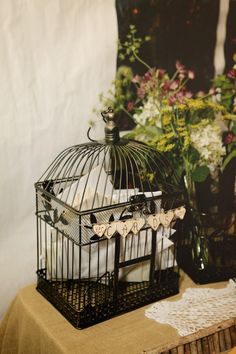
112 134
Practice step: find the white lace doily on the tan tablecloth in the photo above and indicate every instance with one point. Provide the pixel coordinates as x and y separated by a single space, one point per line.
198 309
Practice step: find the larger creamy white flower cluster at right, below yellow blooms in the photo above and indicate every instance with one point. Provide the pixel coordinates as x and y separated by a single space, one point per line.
207 141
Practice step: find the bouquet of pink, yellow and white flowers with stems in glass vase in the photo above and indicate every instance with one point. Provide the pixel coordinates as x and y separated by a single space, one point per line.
196 132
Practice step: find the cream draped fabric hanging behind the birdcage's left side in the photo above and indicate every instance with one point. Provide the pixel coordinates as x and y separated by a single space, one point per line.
56 57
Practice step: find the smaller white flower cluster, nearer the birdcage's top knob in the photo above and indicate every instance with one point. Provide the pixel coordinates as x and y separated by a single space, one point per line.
150 109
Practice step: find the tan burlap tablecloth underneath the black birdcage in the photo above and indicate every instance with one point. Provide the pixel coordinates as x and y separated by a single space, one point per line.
33 326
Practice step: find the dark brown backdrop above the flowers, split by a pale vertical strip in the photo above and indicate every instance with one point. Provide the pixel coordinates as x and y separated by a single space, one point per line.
179 29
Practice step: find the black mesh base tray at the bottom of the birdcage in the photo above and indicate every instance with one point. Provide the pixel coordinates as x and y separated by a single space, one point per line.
86 303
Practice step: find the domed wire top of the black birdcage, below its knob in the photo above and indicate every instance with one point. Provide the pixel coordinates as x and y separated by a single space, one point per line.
107 170
